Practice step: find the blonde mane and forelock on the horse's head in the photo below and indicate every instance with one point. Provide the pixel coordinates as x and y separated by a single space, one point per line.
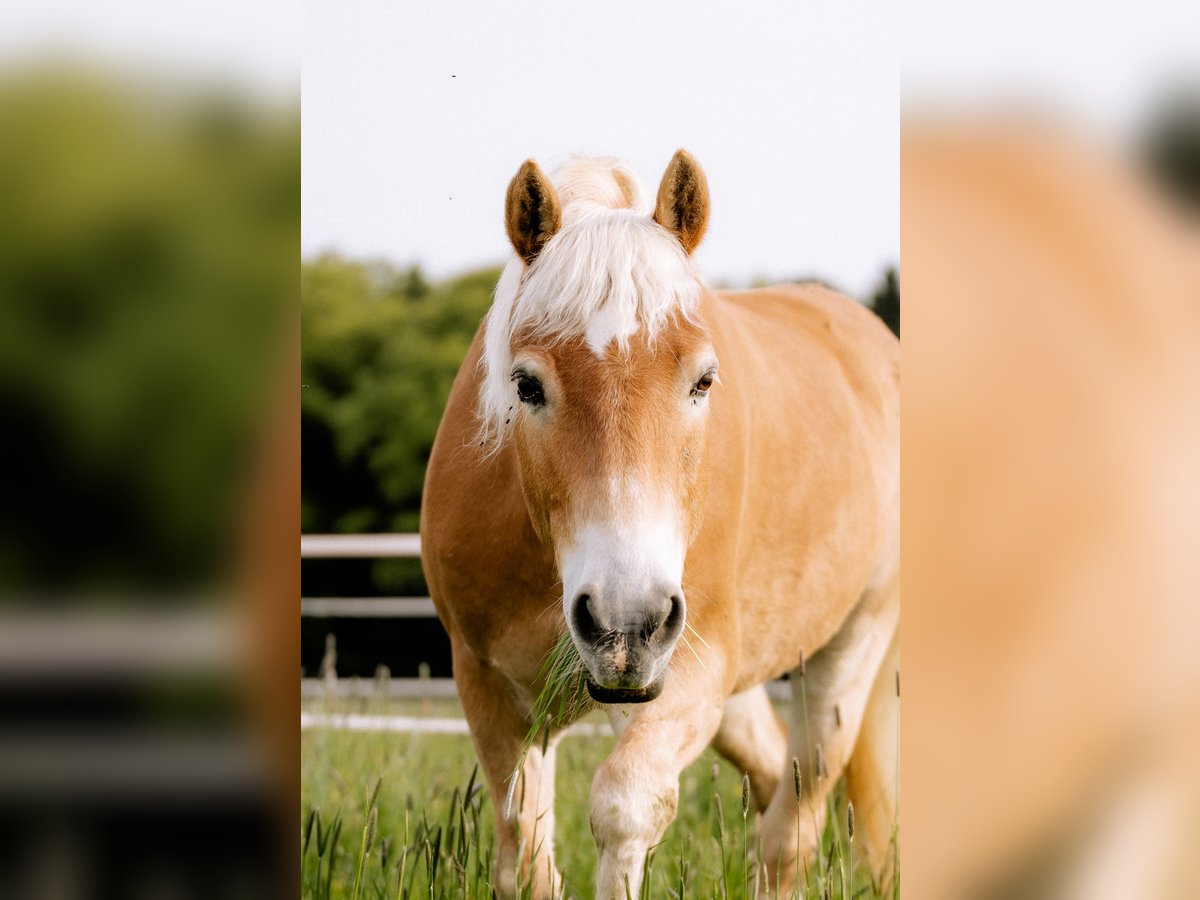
608 274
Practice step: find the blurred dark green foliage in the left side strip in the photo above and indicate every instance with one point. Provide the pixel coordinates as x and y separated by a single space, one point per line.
147 278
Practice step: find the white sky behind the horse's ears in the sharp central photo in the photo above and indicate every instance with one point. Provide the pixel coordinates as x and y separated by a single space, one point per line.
416 117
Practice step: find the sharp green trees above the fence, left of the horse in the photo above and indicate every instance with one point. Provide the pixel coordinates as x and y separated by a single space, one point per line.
381 349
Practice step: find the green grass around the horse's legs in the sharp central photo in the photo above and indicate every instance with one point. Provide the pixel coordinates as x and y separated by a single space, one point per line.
434 835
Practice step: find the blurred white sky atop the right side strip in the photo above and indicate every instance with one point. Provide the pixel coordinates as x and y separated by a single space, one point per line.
1103 68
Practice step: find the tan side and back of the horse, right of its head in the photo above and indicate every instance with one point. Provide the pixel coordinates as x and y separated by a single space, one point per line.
806 433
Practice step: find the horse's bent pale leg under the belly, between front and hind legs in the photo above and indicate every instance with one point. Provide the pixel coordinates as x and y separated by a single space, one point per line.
754 740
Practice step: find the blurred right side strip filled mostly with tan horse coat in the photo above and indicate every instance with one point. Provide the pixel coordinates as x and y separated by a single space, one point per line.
1052 430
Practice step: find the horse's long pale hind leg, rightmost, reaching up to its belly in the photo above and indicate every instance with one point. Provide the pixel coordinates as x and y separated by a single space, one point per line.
829 705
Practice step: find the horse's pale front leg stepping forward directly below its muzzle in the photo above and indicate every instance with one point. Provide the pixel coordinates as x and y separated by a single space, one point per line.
637 790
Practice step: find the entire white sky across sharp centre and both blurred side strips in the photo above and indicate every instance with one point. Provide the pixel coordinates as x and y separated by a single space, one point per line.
791 107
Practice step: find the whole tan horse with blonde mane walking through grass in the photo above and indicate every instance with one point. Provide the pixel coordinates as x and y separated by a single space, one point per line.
645 454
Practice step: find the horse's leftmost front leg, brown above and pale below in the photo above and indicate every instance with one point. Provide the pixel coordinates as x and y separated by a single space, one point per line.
526 836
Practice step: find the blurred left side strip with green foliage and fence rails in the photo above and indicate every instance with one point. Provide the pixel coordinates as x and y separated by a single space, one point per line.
149 231
